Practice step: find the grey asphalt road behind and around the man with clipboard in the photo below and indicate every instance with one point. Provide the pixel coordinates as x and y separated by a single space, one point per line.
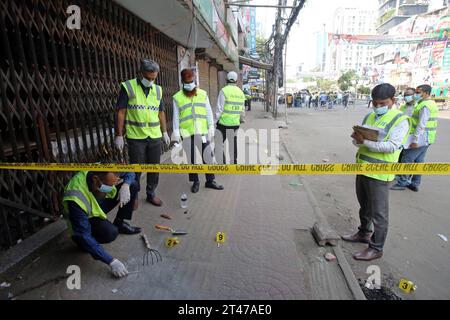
413 249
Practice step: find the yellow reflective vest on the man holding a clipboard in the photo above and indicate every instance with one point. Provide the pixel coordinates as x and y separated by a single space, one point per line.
386 123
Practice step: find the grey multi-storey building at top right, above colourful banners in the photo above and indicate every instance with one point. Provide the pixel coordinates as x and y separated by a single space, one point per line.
393 12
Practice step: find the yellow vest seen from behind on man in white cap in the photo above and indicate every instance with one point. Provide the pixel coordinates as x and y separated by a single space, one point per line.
233 107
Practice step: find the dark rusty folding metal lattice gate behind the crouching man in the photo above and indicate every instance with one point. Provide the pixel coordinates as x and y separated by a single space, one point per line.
58 90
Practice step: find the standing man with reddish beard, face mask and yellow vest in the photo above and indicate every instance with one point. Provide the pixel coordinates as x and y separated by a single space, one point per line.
193 122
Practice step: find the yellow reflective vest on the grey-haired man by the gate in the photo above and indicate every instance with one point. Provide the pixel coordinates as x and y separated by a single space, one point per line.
142 119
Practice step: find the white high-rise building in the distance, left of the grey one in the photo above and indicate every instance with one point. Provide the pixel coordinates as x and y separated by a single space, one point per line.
352 21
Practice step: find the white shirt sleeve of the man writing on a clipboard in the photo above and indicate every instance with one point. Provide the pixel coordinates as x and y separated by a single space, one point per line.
394 143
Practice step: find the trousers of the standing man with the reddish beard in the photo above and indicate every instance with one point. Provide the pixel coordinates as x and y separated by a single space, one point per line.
190 146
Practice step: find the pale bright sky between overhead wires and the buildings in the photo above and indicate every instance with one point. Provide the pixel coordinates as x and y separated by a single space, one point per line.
302 41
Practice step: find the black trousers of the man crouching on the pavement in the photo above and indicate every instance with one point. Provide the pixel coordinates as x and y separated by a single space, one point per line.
103 230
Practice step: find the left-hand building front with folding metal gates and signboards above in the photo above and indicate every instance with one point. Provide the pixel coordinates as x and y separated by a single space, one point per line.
60 79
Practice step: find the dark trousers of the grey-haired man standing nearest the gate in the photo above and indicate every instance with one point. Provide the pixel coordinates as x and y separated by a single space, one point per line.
147 151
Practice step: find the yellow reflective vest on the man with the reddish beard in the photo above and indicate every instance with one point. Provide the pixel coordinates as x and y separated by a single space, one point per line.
192 113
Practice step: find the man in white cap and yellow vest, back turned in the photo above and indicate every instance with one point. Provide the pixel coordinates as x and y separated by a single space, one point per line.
230 114
